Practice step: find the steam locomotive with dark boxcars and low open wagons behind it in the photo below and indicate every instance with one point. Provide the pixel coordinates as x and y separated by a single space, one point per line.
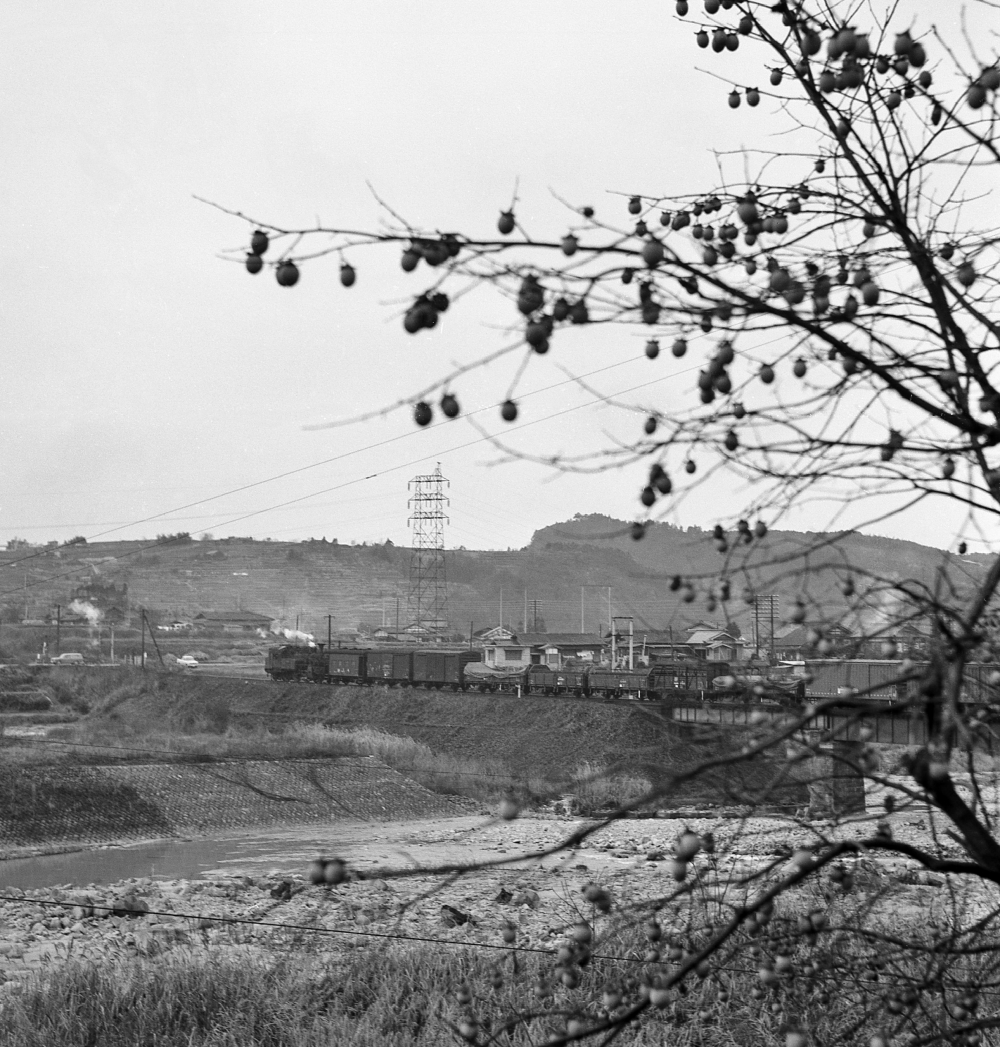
464 671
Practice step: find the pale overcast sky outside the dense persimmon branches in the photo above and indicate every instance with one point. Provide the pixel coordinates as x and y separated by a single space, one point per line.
145 376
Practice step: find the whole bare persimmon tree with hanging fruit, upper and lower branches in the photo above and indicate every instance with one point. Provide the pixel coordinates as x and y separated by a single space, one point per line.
842 302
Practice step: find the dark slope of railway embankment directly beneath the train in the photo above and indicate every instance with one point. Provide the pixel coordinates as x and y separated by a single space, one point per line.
535 738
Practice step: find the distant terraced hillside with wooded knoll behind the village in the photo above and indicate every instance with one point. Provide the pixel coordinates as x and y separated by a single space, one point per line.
361 584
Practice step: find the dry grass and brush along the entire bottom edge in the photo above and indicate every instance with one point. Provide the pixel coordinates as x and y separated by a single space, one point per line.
293 995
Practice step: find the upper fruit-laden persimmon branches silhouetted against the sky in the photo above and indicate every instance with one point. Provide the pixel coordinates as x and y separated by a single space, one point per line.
856 265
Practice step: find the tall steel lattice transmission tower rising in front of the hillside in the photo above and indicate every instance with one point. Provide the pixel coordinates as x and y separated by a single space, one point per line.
429 586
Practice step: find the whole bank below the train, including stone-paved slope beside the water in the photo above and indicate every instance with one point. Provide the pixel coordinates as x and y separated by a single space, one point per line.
112 777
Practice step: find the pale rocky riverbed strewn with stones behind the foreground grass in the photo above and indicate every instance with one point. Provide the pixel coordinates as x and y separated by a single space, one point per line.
392 893
